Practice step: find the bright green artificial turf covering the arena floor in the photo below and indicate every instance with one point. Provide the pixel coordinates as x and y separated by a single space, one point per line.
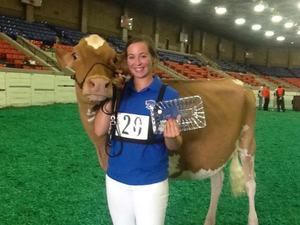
50 173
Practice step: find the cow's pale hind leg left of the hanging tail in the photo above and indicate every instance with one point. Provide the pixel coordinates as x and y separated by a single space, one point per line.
216 189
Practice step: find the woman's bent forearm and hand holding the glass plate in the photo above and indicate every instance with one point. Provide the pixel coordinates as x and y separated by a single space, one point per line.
173 139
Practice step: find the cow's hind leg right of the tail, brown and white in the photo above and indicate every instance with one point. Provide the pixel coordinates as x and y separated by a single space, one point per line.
247 157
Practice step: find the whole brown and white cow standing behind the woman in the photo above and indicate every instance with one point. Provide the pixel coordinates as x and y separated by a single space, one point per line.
230 118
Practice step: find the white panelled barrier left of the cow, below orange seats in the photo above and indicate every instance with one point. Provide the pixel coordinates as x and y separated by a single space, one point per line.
24 89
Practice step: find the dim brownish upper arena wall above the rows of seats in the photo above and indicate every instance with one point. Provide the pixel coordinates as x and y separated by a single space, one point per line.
103 17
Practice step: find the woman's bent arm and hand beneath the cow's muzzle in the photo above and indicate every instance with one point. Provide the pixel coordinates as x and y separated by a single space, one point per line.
102 121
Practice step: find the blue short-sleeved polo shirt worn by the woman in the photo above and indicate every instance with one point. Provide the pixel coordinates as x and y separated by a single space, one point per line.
139 164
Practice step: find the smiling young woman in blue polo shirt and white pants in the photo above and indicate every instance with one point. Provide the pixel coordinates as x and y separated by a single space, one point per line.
137 175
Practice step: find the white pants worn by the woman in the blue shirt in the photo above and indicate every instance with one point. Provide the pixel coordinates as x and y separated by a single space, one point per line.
137 204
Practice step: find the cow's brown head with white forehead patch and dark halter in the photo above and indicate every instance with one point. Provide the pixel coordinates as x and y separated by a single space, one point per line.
95 63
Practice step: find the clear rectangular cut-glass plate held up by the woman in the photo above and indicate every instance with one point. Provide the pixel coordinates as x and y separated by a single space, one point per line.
190 108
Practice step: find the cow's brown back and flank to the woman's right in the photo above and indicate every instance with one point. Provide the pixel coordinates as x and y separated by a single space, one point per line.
224 105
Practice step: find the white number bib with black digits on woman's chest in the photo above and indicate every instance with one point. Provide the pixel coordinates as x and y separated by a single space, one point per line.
133 126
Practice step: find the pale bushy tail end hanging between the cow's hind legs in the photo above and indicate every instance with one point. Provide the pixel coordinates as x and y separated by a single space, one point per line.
237 177
